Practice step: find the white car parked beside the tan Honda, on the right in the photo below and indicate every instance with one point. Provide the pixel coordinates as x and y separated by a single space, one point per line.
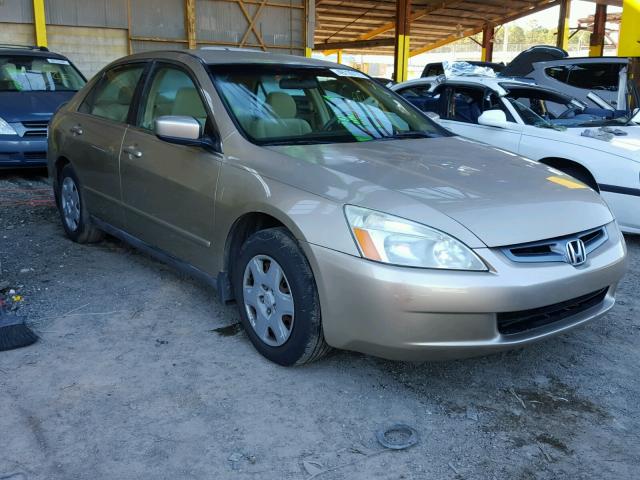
586 142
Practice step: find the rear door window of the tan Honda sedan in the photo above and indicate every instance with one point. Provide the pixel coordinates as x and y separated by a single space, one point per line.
112 96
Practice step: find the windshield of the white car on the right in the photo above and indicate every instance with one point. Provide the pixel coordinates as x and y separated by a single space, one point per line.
551 110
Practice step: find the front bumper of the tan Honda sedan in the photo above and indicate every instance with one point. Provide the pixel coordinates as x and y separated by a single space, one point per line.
416 314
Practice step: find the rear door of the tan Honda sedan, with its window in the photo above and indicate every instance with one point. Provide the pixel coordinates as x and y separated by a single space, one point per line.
94 137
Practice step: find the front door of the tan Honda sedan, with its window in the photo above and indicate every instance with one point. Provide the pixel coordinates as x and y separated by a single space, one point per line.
169 189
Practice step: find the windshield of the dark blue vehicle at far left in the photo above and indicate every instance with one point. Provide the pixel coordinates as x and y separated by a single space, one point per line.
22 73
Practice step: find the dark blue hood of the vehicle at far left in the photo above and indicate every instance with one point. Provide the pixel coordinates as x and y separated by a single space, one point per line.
25 106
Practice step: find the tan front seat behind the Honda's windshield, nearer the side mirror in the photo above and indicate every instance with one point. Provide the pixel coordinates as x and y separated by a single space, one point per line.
284 123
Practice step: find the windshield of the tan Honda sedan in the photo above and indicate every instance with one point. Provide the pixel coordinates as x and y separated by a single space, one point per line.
285 105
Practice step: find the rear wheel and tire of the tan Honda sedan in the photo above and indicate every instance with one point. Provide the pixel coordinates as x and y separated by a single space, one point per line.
73 210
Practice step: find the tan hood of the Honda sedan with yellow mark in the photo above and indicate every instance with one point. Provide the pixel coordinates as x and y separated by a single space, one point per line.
502 198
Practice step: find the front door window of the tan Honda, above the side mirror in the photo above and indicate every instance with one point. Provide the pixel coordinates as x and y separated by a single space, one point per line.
172 92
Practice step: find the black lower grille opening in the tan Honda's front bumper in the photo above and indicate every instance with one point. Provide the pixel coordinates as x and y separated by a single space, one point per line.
510 323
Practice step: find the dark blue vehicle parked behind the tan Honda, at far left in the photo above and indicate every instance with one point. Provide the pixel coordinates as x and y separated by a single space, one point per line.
34 82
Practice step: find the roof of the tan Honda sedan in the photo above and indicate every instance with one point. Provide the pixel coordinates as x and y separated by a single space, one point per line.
229 55
